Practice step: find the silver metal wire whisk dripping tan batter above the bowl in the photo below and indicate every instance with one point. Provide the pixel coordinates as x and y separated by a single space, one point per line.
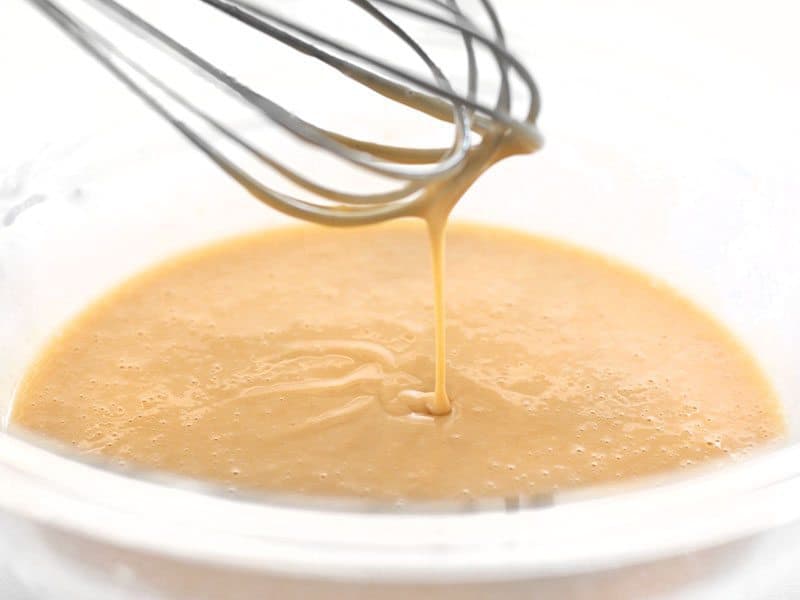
412 170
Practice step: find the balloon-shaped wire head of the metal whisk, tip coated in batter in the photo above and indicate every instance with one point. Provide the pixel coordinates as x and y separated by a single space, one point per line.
165 70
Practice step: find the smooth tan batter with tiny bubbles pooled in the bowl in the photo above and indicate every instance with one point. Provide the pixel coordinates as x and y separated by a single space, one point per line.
296 361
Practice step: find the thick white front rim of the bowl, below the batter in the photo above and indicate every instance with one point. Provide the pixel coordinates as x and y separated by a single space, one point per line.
585 533
